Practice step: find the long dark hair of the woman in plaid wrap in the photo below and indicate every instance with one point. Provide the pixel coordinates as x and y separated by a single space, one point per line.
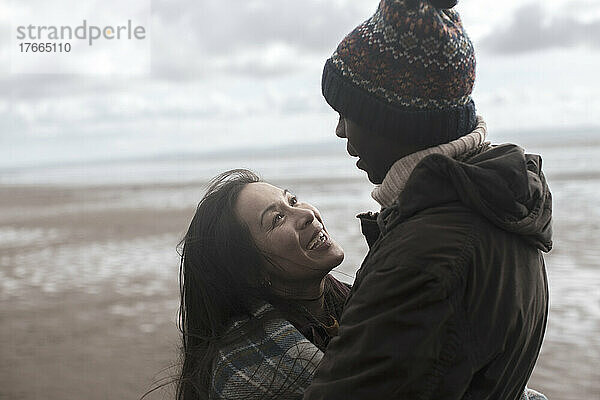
220 274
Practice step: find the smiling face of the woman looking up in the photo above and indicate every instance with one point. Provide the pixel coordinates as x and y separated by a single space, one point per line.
289 232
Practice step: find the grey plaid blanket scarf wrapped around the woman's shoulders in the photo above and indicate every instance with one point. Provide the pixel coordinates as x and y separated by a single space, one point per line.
277 360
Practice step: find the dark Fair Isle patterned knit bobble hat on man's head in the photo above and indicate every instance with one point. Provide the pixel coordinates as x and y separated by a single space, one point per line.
408 71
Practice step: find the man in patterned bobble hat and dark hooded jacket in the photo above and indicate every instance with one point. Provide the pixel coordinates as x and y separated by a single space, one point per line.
451 301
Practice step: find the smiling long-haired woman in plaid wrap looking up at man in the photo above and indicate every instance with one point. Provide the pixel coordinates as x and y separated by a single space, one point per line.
258 306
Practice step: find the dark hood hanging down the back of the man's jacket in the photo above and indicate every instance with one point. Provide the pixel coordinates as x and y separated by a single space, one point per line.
503 184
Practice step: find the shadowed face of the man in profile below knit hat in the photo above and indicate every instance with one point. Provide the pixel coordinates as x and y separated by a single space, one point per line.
376 153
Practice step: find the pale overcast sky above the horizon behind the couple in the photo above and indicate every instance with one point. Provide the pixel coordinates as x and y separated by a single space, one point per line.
228 73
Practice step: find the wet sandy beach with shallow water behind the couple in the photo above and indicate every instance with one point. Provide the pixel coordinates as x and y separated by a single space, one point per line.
89 291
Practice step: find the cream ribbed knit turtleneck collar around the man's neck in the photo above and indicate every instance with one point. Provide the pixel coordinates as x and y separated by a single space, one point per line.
395 180
